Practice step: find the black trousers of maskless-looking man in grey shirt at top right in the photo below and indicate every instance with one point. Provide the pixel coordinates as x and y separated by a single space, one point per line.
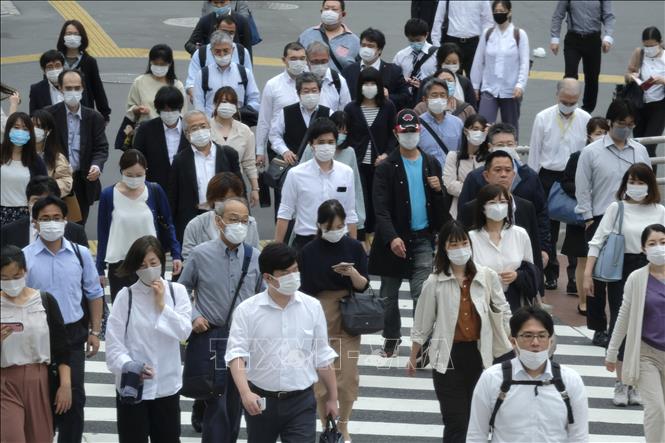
587 48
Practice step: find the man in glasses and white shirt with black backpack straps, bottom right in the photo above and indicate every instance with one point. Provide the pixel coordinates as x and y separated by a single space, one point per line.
533 408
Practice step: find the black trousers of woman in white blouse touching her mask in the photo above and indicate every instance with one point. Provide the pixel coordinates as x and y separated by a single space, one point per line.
157 419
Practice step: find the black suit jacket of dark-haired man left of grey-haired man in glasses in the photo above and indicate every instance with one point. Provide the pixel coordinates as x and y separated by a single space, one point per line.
151 141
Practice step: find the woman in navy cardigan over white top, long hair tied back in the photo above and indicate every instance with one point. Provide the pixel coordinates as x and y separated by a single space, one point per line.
128 210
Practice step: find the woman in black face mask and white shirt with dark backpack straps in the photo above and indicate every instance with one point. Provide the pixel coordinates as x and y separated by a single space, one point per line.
501 67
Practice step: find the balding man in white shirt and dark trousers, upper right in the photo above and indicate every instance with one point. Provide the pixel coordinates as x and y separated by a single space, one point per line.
558 131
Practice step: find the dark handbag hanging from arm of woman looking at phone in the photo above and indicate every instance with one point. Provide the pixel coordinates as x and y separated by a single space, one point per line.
362 313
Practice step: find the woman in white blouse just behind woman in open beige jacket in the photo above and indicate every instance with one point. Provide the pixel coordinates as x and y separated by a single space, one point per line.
497 242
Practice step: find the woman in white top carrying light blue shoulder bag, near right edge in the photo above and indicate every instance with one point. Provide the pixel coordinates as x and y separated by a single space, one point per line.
639 202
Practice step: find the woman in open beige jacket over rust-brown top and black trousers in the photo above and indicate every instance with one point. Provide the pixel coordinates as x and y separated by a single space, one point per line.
462 315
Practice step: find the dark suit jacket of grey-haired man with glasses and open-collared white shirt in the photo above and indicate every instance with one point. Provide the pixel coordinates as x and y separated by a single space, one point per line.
183 185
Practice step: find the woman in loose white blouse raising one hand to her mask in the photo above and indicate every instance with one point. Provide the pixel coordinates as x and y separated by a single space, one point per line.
147 322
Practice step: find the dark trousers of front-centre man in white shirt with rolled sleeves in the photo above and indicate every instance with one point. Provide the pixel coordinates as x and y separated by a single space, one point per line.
293 420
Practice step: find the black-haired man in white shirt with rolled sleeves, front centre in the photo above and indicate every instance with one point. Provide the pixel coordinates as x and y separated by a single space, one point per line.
277 349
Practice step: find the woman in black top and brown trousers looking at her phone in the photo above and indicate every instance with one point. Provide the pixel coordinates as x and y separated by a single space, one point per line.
329 265
